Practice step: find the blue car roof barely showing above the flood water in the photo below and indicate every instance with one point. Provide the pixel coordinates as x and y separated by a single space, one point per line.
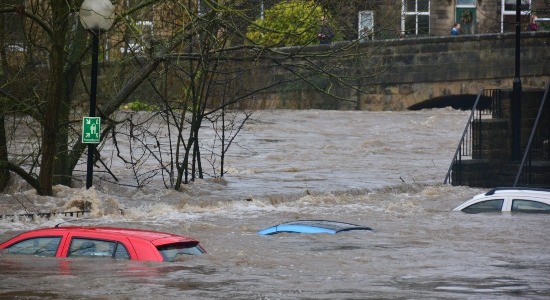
312 226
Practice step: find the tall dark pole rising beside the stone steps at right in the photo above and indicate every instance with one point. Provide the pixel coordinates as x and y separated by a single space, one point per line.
516 102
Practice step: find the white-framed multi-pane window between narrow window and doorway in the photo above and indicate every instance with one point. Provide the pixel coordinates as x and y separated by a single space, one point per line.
415 18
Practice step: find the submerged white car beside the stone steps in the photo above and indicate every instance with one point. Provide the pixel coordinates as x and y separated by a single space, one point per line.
530 200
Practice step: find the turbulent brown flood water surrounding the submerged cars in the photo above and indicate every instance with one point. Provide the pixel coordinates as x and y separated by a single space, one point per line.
384 170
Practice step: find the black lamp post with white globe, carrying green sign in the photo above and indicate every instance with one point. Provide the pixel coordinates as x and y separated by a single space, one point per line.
97 16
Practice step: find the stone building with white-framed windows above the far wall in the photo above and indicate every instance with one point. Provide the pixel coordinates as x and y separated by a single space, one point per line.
436 18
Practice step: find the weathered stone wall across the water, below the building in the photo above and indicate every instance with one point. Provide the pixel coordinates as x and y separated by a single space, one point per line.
426 68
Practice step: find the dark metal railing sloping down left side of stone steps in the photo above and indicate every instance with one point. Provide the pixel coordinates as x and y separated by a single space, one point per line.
488 103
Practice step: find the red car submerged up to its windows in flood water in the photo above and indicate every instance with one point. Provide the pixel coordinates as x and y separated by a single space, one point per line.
113 242
